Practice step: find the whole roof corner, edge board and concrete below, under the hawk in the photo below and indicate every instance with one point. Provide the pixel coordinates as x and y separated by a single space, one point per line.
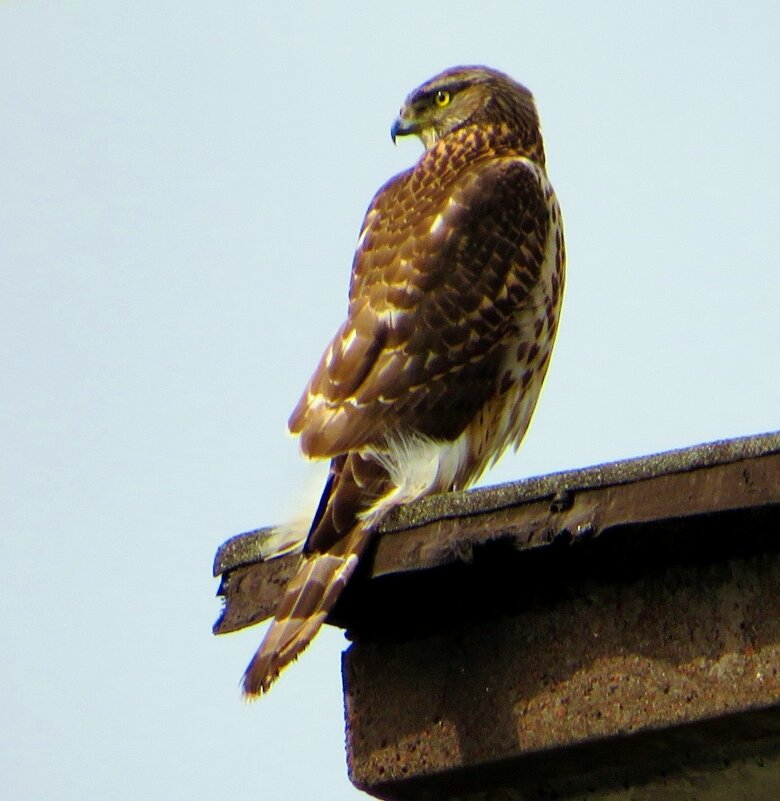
609 633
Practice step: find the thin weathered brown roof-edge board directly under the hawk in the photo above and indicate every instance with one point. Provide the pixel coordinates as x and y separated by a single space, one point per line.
576 504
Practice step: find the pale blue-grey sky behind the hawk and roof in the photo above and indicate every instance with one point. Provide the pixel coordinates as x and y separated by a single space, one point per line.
181 187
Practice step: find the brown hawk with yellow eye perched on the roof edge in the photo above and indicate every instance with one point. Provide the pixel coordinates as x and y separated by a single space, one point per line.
453 307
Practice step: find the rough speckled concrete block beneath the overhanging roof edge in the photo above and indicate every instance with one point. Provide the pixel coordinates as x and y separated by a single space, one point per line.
611 661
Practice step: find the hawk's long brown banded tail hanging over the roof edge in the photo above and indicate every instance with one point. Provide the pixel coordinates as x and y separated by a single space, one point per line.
337 541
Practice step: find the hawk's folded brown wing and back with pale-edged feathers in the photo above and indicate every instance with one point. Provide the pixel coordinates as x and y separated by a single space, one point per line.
446 257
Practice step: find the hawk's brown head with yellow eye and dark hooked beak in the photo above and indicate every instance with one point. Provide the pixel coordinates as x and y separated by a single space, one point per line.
463 96
